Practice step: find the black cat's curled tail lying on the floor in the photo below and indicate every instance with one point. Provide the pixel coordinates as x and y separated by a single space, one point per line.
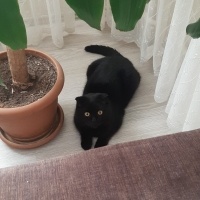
103 50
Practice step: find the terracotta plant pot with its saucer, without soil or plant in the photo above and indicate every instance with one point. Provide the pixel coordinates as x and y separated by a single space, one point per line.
37 123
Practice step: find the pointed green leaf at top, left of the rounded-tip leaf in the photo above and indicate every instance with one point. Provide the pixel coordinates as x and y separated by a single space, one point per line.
88 10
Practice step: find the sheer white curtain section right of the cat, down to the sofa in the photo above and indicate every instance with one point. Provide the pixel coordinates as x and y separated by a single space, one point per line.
161 35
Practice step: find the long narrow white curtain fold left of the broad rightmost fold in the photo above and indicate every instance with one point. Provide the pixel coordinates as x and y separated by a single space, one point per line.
172 56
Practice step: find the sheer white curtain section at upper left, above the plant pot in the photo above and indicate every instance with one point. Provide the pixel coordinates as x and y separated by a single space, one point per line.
47 18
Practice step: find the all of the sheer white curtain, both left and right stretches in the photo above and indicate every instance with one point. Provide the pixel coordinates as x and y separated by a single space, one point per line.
160 34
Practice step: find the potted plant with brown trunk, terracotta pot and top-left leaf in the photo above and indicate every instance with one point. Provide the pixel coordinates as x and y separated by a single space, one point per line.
31 125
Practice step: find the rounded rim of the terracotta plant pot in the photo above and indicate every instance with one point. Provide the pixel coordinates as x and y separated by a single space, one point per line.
50 96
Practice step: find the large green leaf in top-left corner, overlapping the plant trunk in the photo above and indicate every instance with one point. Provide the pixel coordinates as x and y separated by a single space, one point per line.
12 28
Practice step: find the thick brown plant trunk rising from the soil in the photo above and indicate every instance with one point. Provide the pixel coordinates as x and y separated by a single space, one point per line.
18 68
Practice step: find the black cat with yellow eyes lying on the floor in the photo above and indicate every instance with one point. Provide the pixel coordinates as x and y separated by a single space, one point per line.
111 83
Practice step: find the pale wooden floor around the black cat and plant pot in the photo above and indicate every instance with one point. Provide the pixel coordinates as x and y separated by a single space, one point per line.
144 117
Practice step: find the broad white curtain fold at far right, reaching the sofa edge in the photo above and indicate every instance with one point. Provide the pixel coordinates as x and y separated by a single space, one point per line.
184 103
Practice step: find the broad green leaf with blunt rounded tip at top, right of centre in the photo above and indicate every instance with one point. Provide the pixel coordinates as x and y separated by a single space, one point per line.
126 13
